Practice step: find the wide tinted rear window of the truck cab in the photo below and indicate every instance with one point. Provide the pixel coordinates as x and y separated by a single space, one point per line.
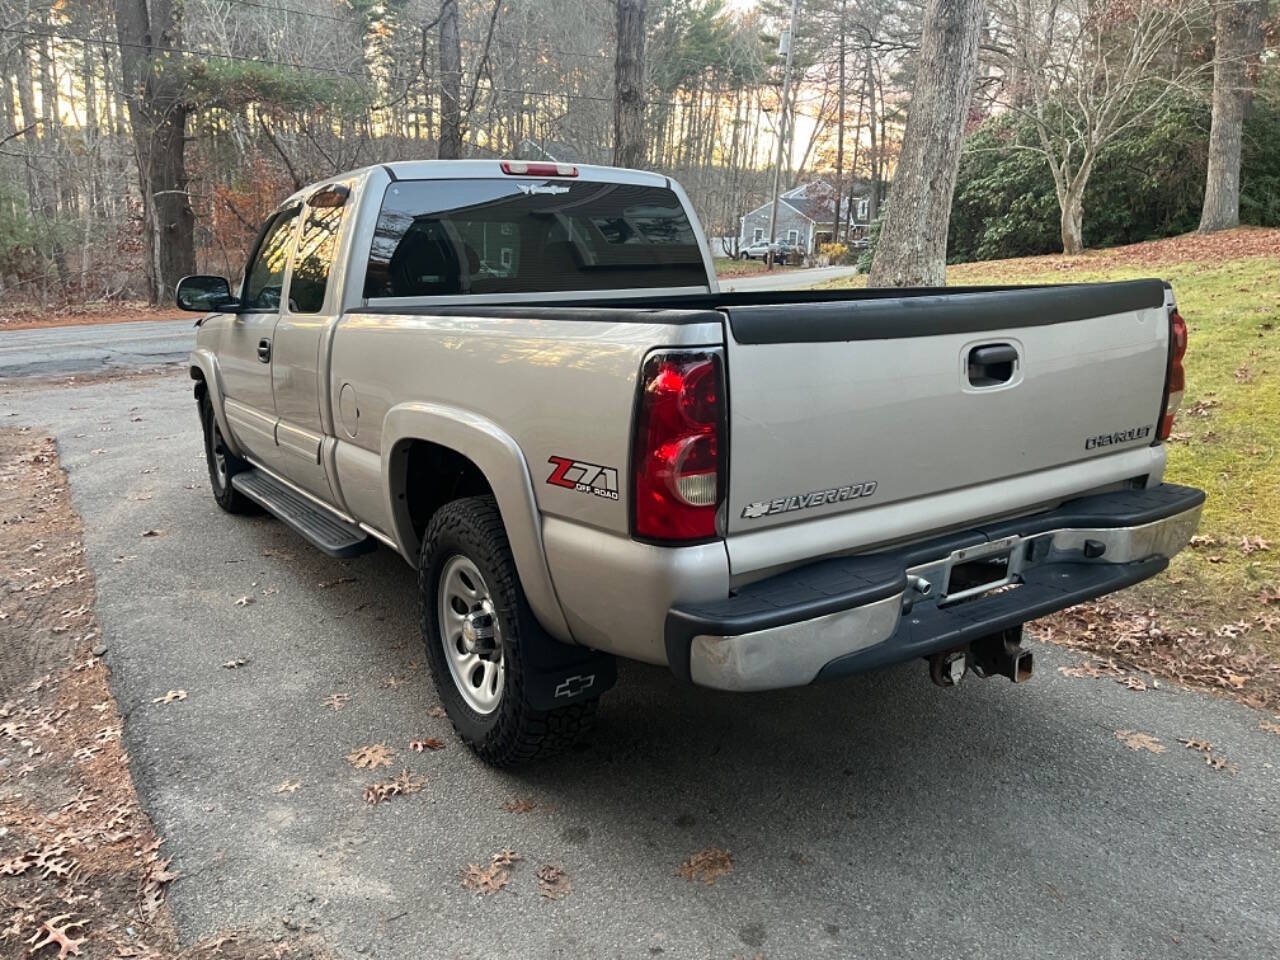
529 236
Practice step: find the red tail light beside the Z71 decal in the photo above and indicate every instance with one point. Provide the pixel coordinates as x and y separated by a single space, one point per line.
678 455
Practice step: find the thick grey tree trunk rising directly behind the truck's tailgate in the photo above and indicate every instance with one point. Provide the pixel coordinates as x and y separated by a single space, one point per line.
913 244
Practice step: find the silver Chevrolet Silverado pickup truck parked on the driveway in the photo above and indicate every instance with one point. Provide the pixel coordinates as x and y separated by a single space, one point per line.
524 380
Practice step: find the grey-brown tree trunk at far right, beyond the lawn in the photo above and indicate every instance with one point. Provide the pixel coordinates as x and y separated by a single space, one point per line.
1238 29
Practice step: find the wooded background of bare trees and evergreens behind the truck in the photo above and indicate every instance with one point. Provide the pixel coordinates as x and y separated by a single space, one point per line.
141 140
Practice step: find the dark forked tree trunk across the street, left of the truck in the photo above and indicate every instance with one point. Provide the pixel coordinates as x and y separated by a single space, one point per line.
158 117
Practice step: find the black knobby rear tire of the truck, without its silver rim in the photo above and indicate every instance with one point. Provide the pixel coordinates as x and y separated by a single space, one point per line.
515 733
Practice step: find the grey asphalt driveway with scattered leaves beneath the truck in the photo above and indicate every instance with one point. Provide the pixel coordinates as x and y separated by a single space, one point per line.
877 817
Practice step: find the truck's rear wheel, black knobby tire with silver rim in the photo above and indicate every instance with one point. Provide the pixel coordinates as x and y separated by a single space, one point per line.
477 627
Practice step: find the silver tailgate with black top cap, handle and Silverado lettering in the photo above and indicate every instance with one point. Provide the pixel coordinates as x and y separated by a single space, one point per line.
849 405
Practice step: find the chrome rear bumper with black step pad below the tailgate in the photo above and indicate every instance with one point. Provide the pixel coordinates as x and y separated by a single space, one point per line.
851 615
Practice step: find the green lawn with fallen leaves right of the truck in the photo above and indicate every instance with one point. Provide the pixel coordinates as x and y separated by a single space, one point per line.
1227 438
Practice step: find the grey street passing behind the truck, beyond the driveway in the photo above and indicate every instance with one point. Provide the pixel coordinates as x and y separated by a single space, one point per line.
90 349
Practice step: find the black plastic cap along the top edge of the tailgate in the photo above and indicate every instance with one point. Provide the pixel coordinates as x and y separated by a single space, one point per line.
936 313
